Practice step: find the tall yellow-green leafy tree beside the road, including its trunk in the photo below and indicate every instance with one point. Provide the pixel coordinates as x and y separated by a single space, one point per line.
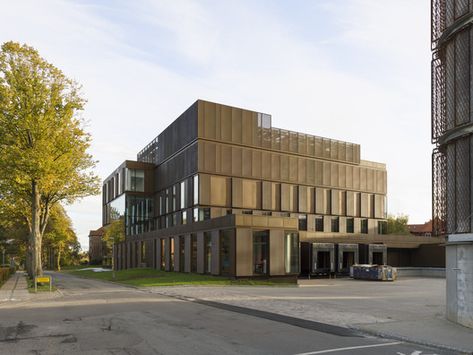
43 144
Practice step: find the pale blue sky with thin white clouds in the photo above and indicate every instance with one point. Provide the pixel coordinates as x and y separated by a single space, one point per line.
355 70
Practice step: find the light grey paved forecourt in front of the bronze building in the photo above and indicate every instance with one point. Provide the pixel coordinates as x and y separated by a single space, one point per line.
408 309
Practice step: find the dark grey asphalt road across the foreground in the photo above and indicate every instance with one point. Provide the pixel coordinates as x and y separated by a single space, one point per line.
93 317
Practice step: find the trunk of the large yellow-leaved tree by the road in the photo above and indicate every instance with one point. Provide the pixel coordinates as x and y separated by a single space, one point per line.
36 237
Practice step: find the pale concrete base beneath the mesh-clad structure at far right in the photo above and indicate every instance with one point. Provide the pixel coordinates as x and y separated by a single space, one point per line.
459 273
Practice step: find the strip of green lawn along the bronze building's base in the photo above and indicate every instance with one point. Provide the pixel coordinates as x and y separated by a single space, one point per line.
151 277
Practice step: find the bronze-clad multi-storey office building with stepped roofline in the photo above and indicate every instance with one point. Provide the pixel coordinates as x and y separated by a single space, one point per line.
222 191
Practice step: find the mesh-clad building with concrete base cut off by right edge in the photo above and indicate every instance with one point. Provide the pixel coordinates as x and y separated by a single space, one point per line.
452 133
